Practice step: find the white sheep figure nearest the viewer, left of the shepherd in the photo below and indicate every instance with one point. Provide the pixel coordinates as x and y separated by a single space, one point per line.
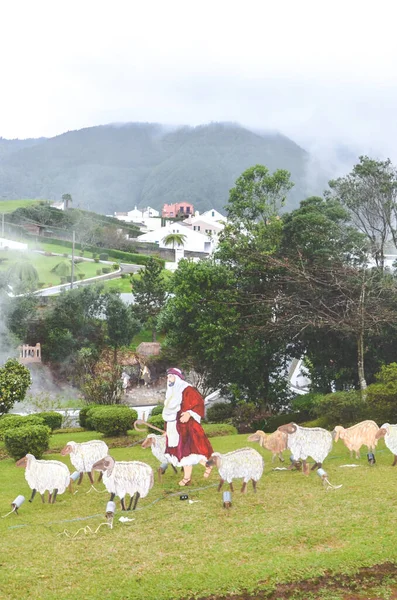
125 477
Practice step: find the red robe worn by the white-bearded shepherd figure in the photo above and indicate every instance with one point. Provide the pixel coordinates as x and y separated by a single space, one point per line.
192 439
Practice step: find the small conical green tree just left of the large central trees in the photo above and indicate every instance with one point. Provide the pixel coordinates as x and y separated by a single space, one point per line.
150 294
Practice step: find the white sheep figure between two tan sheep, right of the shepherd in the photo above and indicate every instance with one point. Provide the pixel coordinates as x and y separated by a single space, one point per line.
307 441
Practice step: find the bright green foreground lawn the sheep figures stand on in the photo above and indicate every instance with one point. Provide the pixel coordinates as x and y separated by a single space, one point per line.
291 530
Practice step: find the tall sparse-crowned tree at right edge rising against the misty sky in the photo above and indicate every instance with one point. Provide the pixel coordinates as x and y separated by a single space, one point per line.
369 192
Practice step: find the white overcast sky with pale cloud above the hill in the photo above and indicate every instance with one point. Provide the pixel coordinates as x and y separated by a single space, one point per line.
320 72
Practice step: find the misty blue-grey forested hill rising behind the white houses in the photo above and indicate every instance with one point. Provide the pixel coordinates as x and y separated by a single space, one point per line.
115 167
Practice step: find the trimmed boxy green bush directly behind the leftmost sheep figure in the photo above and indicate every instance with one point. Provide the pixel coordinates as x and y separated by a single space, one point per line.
34 439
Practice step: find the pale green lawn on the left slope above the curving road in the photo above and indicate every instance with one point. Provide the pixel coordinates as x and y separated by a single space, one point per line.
44 264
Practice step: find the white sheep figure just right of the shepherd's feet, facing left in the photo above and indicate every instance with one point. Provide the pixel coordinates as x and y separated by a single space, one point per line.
244 463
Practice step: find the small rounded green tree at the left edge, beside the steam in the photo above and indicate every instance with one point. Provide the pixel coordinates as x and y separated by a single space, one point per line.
14 382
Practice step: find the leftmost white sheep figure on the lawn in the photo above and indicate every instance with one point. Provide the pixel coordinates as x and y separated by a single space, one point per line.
42 475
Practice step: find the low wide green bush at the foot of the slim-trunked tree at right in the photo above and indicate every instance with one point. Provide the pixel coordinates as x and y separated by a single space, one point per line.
342 408
